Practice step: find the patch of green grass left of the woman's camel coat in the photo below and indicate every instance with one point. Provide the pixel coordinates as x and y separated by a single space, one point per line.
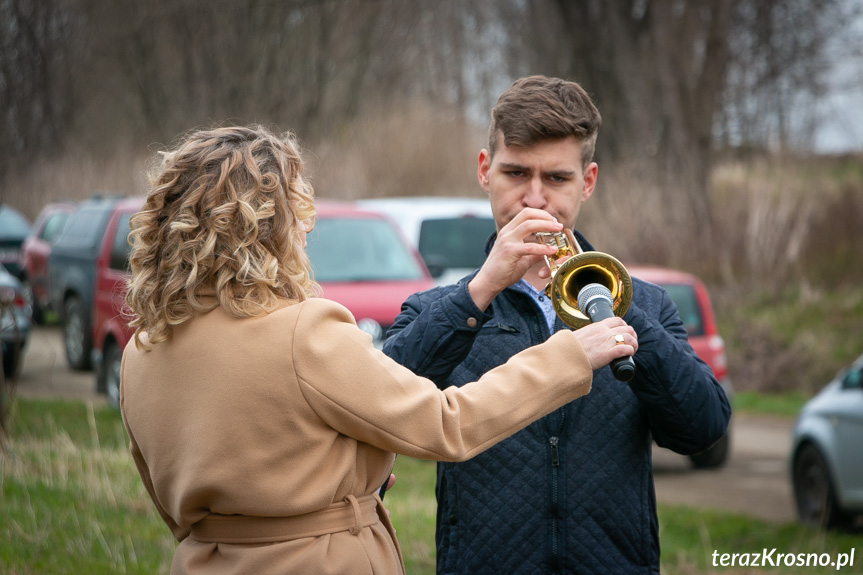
71 499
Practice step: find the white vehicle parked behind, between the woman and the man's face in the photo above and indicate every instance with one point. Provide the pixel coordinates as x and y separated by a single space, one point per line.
449 232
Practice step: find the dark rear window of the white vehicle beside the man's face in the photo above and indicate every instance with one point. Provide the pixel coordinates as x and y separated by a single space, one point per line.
455 242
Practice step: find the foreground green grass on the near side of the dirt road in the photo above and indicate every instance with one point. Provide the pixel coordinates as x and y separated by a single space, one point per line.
72 503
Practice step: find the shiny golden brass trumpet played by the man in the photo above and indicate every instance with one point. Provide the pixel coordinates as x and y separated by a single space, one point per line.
581 269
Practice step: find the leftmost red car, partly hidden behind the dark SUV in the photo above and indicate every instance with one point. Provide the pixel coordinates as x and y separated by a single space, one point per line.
35 252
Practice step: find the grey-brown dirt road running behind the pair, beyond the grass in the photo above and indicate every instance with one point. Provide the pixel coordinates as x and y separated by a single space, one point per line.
753 482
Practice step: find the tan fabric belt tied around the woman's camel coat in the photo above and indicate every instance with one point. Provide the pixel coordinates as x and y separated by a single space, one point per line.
352 514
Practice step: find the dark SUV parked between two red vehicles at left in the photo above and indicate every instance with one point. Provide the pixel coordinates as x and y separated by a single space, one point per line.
72 275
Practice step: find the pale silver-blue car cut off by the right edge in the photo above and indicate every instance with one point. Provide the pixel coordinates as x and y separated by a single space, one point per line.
827 453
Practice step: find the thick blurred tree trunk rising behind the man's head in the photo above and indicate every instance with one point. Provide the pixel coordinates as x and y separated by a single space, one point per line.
656 69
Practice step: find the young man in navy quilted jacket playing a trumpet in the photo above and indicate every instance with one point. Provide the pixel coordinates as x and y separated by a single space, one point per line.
573 492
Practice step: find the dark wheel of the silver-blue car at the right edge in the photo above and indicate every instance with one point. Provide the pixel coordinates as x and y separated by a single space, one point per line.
813 489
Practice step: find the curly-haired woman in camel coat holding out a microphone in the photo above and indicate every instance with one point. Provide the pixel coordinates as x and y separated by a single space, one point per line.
261 419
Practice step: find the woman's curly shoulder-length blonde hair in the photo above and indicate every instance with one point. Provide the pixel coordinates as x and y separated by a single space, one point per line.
224 217
